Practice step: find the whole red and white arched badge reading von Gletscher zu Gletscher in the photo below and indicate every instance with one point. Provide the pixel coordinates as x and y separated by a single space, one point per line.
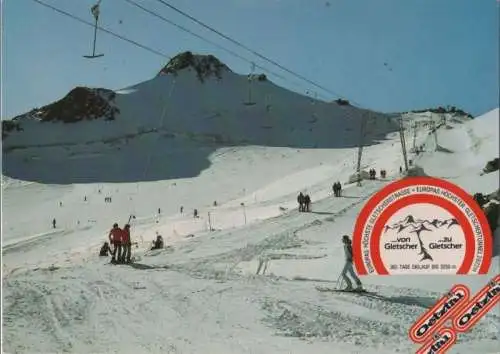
422 225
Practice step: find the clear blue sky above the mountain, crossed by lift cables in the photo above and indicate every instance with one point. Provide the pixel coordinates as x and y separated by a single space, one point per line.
441 52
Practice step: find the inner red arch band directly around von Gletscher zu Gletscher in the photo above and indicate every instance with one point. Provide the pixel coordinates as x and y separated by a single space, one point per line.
470 246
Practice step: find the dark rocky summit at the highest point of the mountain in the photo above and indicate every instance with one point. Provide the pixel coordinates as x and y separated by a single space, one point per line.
204 65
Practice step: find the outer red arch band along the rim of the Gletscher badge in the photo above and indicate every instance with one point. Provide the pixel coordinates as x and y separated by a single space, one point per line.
416 181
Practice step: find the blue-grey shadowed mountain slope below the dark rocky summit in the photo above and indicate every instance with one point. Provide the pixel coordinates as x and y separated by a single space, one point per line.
168 126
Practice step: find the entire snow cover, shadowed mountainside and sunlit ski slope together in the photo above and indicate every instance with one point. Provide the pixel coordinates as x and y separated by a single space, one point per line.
175 141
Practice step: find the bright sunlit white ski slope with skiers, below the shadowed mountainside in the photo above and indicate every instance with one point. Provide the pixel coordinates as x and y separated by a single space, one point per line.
203 294
